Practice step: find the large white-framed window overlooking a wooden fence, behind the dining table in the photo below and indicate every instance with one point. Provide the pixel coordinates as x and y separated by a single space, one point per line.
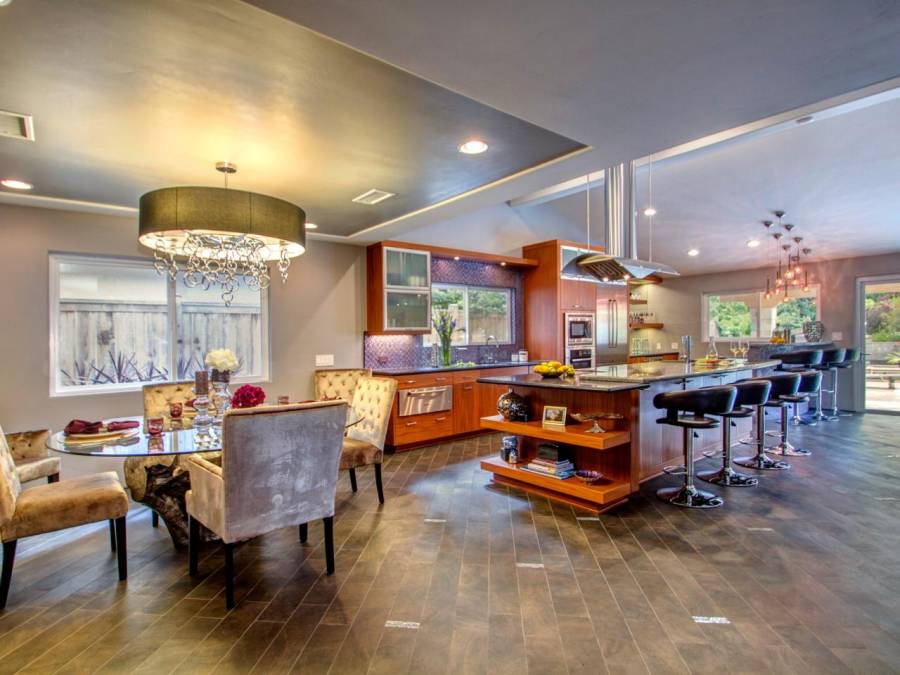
117 324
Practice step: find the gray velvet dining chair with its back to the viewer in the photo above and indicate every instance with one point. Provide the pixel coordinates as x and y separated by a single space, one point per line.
279 468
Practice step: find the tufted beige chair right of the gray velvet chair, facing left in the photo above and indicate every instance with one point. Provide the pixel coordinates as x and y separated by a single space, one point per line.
364 443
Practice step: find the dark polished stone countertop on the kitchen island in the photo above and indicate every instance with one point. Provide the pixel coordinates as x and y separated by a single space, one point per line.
632 375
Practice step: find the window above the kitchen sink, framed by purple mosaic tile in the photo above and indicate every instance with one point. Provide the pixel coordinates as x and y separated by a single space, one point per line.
479 313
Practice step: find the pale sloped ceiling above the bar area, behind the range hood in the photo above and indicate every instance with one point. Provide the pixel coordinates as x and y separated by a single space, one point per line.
837 179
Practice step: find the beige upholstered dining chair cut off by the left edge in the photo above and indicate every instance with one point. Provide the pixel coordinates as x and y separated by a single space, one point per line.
56 506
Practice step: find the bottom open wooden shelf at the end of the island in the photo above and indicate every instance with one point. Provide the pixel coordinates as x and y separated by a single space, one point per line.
571 490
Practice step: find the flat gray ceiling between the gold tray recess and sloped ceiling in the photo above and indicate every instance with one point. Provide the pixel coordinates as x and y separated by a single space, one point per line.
627 78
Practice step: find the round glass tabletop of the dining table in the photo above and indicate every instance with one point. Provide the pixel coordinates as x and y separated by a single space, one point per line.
180 440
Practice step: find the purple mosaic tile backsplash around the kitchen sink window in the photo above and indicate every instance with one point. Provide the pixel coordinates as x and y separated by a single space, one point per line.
409 351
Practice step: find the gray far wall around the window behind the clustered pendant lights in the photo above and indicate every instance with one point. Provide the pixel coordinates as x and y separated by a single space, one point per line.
677 302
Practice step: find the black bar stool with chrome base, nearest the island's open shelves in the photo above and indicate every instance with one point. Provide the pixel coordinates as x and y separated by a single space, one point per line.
697 402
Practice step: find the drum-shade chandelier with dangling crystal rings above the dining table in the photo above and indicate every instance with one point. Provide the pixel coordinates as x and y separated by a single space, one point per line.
221 237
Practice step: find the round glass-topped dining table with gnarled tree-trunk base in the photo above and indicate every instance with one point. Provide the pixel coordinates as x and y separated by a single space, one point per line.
160 459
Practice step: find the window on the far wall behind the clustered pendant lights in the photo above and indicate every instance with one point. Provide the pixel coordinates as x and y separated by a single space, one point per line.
750 315
